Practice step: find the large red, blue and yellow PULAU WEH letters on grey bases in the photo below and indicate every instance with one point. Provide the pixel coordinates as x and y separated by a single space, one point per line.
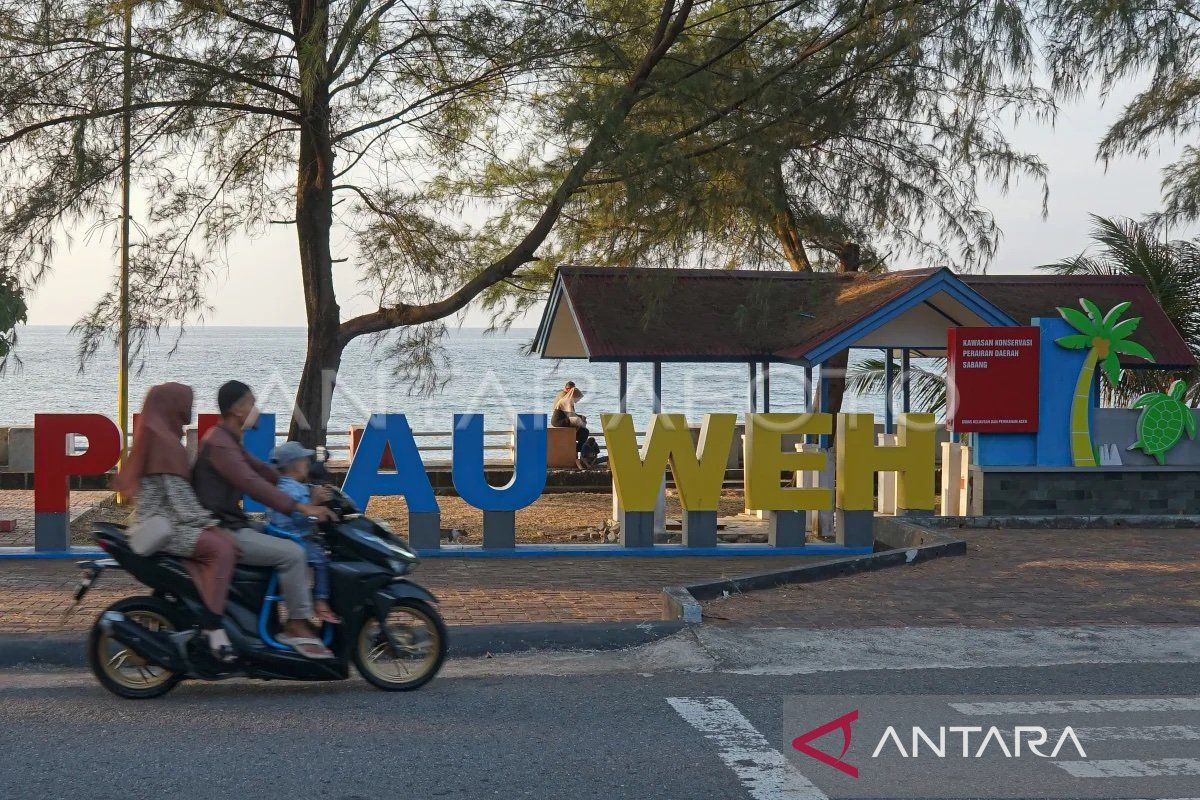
638 472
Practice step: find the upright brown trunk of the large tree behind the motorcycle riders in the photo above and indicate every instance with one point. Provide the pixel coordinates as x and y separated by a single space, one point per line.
315 220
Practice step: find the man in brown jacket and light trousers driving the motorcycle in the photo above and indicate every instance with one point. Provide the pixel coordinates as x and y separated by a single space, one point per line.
223 474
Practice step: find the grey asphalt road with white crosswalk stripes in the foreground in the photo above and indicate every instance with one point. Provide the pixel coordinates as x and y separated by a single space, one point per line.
615 736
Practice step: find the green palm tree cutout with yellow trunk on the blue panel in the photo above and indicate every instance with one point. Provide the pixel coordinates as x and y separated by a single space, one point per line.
1106 338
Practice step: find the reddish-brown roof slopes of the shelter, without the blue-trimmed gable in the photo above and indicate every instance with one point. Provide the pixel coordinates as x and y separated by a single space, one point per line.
740 316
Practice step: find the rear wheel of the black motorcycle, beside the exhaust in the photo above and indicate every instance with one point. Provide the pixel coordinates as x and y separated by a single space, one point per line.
122 671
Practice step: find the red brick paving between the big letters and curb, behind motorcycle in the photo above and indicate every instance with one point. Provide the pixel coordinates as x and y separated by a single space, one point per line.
473 592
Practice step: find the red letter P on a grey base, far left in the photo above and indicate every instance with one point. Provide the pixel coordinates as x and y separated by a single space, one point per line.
53 470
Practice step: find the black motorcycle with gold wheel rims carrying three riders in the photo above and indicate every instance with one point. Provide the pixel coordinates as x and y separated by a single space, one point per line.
143 647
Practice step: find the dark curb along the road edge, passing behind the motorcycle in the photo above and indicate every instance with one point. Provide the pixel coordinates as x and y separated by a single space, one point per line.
466 641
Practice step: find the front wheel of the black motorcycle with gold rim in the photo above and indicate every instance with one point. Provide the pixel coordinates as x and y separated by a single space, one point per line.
421 639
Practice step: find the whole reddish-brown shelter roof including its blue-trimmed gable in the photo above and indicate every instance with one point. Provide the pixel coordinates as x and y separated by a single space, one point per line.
632 315
